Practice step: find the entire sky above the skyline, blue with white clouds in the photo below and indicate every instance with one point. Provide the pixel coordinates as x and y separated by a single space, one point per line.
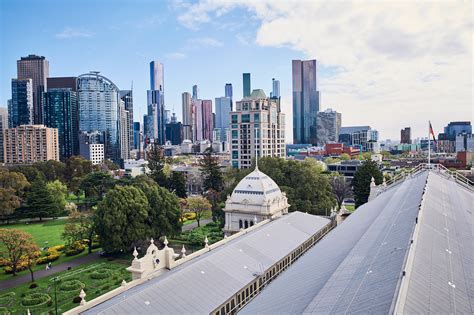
386 65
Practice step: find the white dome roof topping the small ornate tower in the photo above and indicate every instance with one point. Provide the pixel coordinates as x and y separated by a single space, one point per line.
256 188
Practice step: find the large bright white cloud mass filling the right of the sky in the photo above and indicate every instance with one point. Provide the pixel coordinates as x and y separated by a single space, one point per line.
401 63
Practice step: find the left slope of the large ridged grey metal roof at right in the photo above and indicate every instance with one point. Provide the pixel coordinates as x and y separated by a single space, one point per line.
356 268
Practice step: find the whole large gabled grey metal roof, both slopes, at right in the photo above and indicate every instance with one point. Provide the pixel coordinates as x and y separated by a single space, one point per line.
358 267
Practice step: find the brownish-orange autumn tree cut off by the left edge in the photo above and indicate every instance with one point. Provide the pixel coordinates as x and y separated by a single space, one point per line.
12 185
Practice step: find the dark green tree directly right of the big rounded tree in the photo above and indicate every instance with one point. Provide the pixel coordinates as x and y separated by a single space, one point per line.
163 208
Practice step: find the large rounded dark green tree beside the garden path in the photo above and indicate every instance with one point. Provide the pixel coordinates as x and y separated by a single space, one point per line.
121 219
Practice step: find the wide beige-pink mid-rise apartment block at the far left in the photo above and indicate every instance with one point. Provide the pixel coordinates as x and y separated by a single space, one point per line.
30 144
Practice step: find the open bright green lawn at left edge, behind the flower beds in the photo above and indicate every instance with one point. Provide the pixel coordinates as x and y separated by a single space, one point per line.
46 233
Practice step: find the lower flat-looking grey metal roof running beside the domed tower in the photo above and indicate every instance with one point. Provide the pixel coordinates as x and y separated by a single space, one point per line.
204 283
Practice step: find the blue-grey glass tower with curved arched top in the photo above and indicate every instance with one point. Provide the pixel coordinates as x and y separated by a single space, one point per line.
99 102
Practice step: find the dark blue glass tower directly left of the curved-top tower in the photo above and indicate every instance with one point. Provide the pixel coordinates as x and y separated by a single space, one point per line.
60 110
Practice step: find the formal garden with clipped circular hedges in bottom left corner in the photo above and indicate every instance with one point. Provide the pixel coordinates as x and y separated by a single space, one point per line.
96 279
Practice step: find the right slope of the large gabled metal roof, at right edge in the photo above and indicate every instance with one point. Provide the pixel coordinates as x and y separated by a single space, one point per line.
441 279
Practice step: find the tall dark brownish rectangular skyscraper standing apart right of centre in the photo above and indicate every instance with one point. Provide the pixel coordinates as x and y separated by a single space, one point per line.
306 101
